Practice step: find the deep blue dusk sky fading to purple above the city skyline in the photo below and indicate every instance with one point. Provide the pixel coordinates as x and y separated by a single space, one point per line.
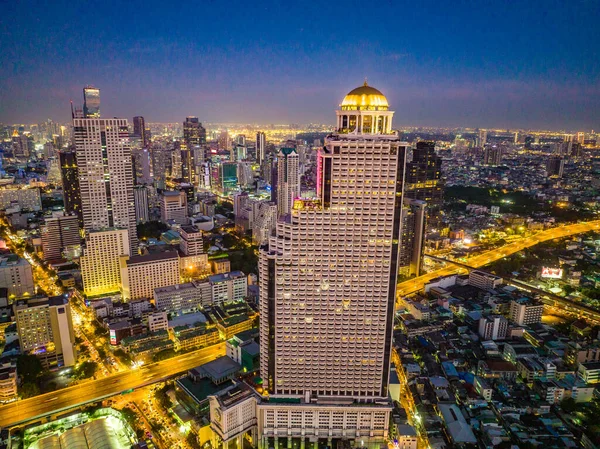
447 63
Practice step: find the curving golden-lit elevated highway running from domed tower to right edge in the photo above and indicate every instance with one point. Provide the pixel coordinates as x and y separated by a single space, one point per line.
416 284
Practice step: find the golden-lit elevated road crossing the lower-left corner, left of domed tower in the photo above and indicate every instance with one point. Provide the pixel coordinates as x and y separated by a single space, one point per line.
28 409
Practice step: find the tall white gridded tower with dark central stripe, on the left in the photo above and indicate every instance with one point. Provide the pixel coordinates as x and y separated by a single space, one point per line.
105 175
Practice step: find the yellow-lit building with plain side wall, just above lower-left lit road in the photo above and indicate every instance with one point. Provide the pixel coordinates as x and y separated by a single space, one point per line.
45 328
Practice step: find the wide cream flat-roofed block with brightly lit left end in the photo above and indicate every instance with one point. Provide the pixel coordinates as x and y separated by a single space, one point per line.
142 274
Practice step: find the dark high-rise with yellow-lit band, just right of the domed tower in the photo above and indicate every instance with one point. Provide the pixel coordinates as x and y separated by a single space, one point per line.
424 180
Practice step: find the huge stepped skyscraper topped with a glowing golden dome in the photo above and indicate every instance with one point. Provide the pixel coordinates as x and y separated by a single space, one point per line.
328 285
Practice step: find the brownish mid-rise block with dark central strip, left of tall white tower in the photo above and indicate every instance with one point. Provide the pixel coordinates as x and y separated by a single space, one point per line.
60 235
